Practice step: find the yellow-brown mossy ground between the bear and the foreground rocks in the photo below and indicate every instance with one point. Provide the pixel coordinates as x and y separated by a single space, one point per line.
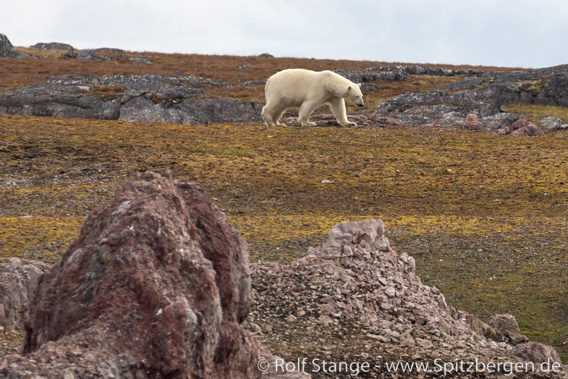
485 216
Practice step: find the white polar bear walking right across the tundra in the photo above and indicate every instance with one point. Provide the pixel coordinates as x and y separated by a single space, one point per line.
308 90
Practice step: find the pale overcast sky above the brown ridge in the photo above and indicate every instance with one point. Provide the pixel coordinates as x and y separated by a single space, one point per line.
510 33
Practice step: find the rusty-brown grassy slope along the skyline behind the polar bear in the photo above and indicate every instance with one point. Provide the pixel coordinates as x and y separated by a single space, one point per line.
23 71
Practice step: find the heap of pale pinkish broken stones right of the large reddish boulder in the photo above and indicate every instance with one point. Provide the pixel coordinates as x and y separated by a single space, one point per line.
353 299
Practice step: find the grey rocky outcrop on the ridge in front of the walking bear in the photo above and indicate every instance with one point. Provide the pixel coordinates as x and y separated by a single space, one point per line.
480 93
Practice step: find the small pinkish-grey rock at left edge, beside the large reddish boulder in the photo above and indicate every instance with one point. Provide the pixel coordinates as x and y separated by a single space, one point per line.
18 279
